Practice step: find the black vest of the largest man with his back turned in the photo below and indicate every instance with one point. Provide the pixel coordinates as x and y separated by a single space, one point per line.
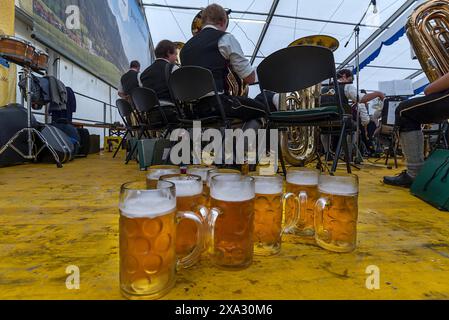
202 50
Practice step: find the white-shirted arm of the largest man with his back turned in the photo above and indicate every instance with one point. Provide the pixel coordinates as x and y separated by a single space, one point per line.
231 50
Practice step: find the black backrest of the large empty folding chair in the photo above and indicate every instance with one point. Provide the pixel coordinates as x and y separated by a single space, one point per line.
296 68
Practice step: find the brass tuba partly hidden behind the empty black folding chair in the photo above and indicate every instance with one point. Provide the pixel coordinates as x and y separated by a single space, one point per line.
299 143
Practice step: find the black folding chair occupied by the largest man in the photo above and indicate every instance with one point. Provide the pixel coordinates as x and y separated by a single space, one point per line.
188 85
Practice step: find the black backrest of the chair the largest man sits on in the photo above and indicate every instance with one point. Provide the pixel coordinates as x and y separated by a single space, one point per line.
191 83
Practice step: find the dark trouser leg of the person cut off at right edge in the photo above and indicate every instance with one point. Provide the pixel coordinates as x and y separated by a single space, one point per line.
411 114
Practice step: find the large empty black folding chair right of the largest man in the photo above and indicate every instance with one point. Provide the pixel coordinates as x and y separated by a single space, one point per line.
300 67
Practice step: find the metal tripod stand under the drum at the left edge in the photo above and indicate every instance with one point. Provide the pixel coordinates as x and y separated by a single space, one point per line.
32 133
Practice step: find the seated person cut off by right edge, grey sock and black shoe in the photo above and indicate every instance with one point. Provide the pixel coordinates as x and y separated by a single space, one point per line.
410 115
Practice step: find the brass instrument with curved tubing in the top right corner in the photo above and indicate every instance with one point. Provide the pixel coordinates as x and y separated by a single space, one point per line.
428 32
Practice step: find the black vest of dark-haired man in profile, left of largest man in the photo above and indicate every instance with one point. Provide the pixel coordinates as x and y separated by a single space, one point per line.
154 77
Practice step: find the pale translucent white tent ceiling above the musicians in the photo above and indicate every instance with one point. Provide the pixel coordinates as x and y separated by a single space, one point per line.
171 19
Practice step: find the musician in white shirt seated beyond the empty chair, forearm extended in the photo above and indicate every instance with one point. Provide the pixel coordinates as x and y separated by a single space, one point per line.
345 80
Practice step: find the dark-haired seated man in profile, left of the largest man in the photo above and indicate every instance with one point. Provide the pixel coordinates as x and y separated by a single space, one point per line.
155 76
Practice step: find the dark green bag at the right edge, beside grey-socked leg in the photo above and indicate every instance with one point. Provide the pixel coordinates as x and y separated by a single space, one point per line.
432 183
